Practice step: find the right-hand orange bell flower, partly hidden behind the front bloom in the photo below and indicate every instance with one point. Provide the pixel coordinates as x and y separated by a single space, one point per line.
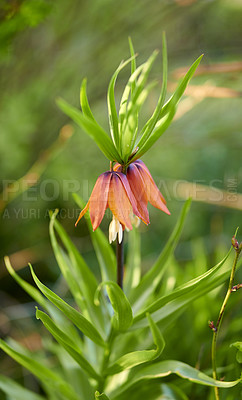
144 189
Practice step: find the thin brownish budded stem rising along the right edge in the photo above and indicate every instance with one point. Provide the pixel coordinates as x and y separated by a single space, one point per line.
219 321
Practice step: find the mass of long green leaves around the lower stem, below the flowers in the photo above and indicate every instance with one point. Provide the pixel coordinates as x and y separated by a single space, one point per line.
109 341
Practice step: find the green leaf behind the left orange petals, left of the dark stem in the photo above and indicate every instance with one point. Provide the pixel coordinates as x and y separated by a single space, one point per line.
104 252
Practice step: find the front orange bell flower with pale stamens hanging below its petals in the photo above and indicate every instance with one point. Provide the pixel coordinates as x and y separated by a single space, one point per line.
112 191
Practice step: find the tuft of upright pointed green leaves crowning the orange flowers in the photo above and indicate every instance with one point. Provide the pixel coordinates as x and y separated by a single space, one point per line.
128 142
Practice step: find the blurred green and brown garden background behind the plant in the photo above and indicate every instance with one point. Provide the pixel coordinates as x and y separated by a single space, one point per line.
46 48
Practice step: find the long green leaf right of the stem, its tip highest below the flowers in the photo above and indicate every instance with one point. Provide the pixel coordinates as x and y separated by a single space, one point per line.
152 278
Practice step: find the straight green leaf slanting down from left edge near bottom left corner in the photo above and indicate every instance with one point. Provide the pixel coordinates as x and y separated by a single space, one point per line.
46 375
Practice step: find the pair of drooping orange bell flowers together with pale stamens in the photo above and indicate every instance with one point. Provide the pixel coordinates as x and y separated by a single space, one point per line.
127 196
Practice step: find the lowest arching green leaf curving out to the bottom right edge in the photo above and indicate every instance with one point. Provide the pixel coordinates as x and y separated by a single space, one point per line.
166 368
